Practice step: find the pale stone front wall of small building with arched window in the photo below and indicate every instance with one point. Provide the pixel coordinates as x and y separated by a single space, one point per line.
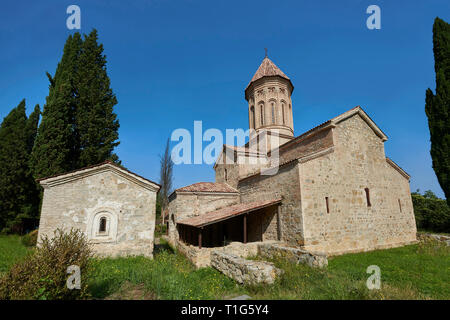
76 204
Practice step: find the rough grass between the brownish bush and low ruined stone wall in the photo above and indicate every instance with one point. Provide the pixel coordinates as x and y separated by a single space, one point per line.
168 276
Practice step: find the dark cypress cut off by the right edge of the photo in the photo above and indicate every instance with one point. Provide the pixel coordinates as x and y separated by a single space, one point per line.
437 106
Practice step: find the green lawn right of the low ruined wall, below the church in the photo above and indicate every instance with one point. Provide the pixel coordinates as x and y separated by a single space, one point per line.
412 272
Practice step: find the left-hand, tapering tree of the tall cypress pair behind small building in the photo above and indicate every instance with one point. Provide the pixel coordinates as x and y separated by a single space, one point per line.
56 147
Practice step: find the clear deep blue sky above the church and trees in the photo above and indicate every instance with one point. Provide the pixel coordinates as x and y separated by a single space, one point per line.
174 62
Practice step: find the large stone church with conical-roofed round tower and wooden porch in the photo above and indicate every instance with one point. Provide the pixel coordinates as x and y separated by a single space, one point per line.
333 190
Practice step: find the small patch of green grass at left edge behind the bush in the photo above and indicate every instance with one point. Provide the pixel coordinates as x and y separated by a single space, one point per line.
11 251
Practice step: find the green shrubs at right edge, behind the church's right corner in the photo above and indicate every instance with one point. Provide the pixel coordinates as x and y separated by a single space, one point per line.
432 213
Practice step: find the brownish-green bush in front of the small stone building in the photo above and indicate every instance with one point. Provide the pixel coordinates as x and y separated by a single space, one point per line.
43 275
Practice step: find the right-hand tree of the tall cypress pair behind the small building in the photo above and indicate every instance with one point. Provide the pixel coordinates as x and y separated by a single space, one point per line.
96 123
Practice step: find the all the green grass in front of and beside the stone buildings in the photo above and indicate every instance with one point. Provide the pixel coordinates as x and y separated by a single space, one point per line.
413 272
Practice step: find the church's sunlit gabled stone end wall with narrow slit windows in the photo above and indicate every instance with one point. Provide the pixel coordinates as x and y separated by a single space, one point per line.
358 162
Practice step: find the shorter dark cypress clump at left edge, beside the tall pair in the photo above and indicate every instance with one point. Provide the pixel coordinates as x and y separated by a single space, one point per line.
18 193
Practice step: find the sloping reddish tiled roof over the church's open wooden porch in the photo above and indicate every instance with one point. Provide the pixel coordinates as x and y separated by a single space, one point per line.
227 213
